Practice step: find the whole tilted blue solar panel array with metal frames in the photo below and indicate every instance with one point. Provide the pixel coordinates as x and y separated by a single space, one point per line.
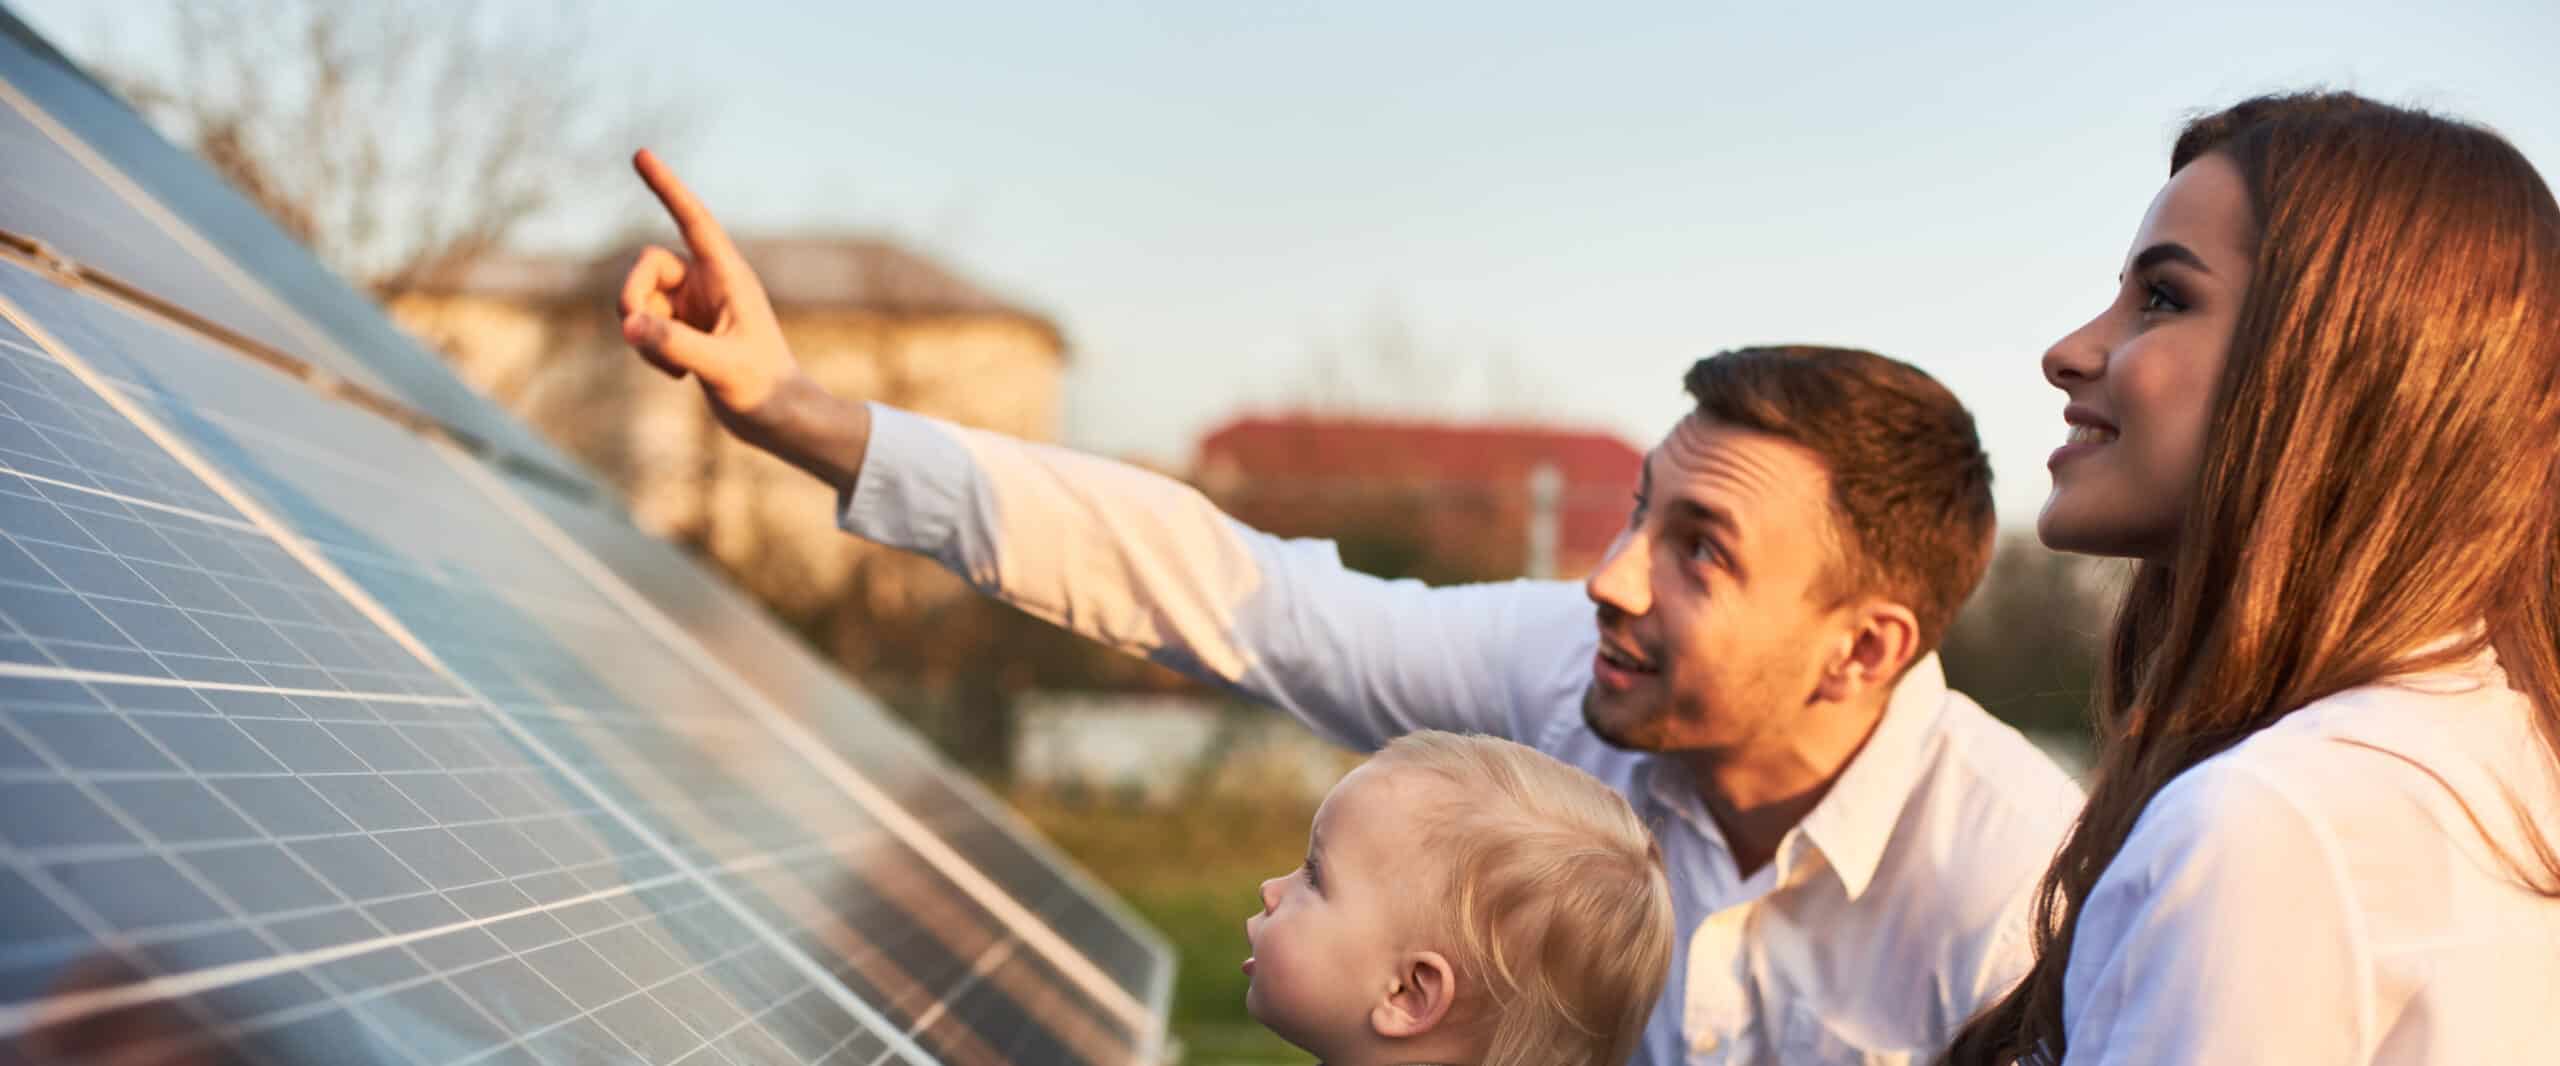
326 739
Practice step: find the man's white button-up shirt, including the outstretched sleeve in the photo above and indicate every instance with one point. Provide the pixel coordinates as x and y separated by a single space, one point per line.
1891 916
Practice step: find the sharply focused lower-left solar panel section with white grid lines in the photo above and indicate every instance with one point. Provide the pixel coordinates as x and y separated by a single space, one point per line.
314 791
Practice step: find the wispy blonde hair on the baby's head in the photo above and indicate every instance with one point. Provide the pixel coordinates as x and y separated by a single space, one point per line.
1555 901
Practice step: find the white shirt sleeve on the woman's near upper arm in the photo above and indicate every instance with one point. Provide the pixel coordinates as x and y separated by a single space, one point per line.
2226 931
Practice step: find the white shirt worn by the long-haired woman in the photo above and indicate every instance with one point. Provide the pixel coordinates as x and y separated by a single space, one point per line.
2321 896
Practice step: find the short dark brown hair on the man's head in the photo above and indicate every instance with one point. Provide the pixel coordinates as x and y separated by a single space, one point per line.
1911 488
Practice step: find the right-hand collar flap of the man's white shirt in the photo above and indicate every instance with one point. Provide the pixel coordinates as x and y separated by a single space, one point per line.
1857 816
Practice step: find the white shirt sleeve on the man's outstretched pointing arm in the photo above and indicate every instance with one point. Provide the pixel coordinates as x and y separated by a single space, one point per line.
1151 568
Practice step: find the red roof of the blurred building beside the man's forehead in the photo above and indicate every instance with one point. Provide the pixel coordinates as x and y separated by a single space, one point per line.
1332 452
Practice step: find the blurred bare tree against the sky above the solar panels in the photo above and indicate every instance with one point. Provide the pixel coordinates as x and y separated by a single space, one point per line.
398 140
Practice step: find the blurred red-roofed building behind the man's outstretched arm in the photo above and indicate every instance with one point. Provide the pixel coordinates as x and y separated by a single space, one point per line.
1435 501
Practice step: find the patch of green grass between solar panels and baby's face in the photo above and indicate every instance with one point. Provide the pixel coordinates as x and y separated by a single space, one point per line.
1194 873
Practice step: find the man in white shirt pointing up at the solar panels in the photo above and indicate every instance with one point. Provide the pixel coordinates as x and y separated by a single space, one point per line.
1852 847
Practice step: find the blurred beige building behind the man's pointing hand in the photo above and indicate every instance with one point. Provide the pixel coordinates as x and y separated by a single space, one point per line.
867 316
